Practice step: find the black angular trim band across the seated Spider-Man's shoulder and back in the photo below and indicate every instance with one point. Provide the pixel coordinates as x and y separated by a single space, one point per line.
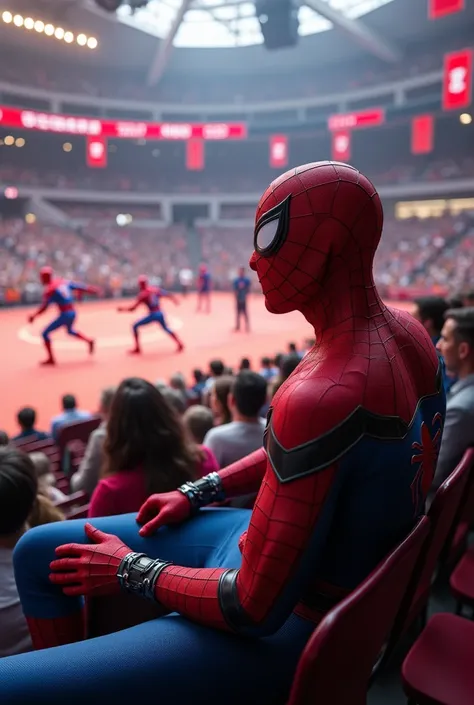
315 455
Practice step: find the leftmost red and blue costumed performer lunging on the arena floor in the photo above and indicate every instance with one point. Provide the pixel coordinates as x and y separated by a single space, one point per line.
61 292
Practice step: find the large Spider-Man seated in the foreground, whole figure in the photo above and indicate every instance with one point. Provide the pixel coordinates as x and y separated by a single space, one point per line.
338 489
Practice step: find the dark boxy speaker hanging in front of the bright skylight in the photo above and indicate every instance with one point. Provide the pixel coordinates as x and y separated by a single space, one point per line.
279 23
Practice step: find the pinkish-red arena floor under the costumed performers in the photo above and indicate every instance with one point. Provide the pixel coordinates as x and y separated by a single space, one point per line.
24 382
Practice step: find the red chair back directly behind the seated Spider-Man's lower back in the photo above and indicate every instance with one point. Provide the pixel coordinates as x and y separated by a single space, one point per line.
337 663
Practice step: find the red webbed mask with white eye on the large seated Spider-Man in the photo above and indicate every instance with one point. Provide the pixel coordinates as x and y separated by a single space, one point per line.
314 223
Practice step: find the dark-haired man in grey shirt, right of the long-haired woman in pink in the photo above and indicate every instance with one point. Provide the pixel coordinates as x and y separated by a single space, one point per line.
244 434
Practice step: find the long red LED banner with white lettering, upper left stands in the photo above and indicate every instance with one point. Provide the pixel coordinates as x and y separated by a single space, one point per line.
124 129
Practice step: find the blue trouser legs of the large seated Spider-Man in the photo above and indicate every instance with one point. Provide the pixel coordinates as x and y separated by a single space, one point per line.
169 659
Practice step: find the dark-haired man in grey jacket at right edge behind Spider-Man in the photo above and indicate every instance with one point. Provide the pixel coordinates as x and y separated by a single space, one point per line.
456 345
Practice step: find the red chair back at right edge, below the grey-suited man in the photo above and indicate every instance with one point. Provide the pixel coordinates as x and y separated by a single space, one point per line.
443 513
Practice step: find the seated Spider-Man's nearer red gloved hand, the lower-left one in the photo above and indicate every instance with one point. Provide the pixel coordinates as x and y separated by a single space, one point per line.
89 569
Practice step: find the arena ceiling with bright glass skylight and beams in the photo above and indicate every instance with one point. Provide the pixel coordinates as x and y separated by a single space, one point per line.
198 36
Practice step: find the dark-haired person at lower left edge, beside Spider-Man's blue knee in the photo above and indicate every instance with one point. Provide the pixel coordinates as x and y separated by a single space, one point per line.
18 487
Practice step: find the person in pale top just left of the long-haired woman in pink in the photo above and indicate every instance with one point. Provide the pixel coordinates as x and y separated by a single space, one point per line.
87 476
